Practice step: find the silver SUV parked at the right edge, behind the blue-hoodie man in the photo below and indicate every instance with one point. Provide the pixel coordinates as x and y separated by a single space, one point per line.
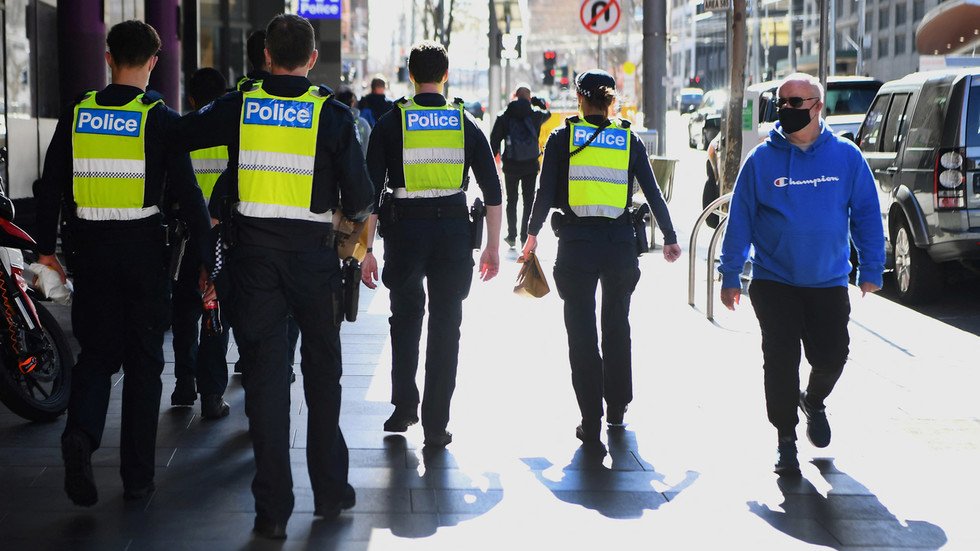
922 140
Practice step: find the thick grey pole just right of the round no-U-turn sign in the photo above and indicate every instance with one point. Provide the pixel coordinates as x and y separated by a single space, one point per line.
655 68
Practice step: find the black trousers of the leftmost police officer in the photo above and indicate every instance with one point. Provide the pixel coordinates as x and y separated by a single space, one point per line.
120 312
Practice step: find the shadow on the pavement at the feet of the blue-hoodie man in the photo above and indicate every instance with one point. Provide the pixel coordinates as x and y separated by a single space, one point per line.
848 516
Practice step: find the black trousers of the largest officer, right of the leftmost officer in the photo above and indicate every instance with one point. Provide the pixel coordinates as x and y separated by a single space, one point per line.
268 285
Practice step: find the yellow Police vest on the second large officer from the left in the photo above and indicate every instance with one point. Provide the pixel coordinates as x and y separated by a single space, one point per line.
276 152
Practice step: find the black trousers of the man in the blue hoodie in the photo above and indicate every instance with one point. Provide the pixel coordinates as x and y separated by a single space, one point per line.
788 315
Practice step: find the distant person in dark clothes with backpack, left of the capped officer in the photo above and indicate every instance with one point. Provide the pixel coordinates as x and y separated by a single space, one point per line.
518 127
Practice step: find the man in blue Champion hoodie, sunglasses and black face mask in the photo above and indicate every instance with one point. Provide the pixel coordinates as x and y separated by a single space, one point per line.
800 199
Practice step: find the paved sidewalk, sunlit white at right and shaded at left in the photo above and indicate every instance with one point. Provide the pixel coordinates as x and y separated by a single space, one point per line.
692 470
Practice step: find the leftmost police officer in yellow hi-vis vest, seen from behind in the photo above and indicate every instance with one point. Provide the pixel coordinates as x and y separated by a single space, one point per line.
108 163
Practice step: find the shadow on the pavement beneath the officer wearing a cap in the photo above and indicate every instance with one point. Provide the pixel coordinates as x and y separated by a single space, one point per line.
623 489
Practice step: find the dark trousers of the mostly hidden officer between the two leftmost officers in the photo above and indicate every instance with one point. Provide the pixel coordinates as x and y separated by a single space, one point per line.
198 355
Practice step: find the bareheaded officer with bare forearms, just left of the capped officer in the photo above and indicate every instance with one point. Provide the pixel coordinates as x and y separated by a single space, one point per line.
422 152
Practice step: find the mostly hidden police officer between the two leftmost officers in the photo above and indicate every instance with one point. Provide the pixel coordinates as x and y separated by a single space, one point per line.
200 368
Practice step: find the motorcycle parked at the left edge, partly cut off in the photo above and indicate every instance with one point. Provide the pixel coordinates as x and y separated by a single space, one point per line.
36 358
